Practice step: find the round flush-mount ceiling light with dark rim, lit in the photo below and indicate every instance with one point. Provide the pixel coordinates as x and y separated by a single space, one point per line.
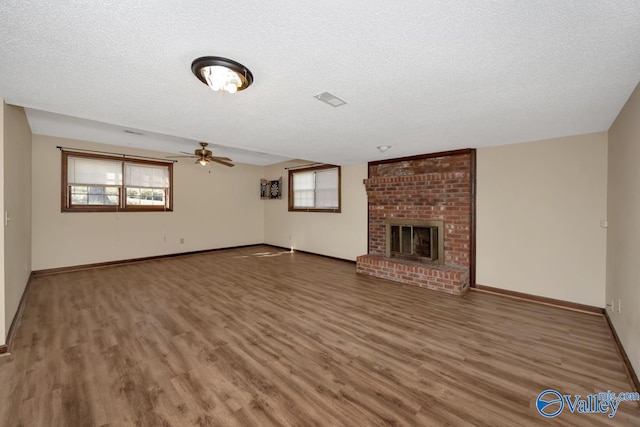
222 74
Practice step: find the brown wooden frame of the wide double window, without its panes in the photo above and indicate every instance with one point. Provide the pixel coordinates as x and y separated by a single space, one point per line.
65 201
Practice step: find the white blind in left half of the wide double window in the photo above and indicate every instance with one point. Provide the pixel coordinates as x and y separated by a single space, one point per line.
82 171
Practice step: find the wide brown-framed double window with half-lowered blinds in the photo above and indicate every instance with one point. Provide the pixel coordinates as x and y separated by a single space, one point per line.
96 183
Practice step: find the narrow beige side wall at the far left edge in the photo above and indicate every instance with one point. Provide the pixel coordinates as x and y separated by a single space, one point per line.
17 204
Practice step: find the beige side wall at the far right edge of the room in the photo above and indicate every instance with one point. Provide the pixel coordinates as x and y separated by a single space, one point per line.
623 245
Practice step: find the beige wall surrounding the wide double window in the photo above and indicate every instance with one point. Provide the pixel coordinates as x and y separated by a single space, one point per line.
211 210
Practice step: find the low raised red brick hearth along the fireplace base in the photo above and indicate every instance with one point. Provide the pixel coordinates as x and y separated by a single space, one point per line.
449 279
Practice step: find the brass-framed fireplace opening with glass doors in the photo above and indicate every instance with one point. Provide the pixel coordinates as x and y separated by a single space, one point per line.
415 240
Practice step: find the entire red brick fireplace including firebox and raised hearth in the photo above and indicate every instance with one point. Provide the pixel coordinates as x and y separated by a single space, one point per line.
421 221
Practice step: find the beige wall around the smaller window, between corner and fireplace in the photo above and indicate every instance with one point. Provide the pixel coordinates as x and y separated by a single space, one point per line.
342 235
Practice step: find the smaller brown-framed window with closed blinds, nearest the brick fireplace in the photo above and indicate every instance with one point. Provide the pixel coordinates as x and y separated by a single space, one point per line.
315 189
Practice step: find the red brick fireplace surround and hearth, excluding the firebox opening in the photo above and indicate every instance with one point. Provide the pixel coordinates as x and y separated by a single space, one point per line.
430 187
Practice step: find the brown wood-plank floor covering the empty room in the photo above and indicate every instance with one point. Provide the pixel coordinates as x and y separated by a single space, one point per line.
234 338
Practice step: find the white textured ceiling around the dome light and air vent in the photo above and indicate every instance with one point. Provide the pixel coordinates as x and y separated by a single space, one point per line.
421 76
